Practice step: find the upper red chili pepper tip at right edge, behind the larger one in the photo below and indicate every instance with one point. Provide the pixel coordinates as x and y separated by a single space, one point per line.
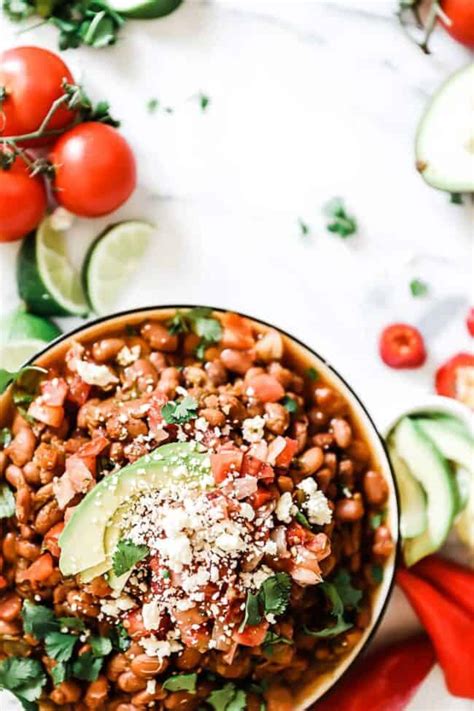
455 581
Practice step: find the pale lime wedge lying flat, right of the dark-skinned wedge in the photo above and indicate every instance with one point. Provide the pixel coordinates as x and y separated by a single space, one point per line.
111 261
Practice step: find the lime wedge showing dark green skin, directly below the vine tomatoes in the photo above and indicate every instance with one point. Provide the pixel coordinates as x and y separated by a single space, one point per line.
46 280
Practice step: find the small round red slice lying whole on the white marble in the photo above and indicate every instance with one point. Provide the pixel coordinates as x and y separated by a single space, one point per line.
402 346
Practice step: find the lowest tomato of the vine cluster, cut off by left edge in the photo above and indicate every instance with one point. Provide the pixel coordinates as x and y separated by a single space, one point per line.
22 201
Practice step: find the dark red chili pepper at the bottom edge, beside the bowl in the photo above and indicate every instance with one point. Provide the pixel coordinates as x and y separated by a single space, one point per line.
386 680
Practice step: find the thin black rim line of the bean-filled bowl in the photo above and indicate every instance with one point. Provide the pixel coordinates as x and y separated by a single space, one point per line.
219 309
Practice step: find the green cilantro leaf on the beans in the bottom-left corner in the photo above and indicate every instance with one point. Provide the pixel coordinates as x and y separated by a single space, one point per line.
25 679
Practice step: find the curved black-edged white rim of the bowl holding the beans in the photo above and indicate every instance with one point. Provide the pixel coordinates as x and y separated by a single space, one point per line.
391 568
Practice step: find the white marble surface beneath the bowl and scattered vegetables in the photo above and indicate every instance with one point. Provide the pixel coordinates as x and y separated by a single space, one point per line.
309 99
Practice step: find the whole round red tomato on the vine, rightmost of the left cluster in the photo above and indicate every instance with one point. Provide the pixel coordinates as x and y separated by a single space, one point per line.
94 169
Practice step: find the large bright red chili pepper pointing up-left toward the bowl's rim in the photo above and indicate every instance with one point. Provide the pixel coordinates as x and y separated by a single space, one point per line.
451 630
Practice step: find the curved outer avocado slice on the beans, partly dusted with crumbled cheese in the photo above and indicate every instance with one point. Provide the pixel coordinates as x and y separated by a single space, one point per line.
83 540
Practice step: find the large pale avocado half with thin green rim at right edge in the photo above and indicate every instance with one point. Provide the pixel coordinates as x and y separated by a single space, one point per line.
444 145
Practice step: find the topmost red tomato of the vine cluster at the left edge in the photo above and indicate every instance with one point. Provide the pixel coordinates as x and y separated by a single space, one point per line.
31 79
